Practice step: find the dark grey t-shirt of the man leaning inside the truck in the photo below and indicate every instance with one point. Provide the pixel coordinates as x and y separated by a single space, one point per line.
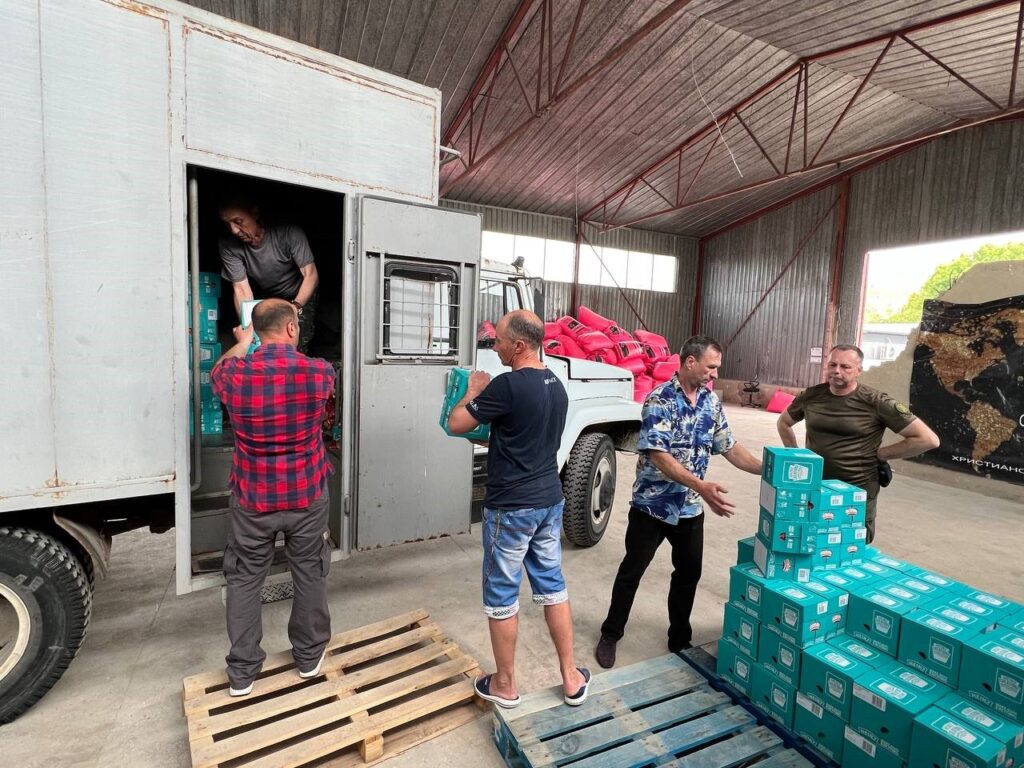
274 267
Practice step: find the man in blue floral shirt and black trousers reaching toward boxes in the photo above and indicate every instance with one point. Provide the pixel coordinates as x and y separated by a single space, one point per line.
684 424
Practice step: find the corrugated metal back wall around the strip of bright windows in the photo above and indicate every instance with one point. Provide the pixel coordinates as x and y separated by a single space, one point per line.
667 314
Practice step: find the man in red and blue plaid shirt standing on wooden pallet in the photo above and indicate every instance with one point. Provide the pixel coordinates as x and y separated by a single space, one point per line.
276 400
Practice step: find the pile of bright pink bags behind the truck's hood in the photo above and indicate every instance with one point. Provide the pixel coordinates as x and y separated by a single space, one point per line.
592 337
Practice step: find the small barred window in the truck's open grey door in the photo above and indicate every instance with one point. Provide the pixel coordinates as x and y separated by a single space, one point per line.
421 311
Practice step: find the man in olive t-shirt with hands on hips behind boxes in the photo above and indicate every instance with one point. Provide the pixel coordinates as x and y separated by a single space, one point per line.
845 424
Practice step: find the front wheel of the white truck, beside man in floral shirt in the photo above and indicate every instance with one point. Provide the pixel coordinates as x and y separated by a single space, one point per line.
589 486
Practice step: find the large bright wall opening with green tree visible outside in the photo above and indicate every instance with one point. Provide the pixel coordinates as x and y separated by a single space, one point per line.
901 280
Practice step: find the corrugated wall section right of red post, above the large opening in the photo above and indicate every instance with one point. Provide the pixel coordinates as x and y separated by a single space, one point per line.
961 186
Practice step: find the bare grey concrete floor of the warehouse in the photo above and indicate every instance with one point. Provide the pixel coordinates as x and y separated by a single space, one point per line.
120 703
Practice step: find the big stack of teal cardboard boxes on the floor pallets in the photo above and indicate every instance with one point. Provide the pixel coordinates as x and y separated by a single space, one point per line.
874 661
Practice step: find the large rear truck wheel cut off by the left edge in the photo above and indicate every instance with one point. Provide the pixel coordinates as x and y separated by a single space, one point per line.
46 603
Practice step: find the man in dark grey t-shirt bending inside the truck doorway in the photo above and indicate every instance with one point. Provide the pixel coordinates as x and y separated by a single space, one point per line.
275 258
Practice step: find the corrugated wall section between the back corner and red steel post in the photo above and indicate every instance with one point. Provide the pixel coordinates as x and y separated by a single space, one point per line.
740 266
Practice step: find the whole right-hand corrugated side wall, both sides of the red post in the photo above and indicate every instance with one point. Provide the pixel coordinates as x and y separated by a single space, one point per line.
961 186
